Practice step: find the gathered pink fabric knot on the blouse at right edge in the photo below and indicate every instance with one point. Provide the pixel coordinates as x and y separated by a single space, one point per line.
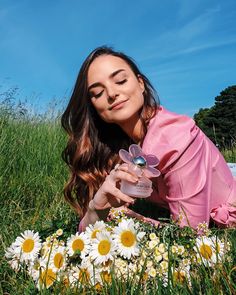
224 215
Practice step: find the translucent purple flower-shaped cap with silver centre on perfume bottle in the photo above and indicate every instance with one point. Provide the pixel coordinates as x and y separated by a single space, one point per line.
139 162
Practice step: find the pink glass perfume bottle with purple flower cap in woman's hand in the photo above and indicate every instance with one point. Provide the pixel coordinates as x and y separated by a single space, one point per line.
141 165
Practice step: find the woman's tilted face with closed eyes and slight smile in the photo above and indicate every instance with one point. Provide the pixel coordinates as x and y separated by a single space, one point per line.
115 92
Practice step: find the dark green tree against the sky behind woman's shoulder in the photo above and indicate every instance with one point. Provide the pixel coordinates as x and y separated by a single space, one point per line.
219 121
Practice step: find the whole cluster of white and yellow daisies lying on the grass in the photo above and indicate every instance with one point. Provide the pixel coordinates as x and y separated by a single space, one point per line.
123 248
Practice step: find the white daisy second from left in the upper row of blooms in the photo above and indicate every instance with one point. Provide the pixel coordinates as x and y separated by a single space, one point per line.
79 242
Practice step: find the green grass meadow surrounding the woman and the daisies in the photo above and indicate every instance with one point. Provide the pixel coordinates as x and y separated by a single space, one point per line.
32 176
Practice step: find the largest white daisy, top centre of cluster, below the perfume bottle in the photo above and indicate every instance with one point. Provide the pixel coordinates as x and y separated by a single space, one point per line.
127 238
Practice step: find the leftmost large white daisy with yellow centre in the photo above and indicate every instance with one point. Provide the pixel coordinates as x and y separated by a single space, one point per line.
27 246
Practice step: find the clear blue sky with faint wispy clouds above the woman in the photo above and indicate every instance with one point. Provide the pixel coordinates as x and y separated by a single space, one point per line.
186 48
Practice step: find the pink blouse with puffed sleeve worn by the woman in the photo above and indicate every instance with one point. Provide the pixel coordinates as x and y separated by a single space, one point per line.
195 181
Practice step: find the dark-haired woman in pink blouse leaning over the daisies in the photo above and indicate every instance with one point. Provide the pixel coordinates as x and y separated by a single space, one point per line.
112 106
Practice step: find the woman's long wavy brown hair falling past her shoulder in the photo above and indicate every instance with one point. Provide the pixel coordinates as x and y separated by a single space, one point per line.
92 148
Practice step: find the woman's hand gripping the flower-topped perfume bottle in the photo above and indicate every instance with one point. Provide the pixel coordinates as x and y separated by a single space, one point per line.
109 194
